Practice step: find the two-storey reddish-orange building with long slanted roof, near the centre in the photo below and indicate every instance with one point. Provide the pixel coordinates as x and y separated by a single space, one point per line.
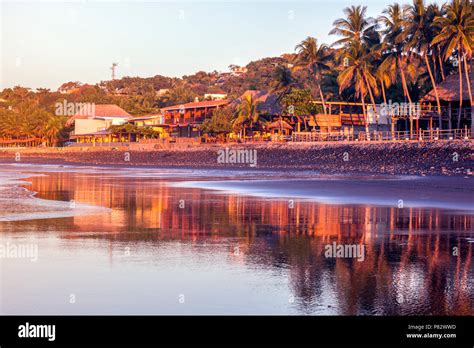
184 120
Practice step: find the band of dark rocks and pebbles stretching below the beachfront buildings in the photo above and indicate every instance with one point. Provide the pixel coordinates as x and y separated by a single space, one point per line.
454 158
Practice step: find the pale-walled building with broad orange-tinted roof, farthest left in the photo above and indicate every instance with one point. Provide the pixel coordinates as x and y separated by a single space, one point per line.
92 125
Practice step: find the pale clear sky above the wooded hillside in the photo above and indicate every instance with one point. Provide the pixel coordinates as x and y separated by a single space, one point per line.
44 44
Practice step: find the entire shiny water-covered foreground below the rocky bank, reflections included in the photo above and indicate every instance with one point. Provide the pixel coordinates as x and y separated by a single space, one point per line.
90 240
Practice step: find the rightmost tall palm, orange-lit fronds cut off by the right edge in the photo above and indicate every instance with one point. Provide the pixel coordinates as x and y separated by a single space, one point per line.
457 31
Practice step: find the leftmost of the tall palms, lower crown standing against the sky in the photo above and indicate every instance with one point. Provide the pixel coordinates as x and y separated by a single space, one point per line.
315 59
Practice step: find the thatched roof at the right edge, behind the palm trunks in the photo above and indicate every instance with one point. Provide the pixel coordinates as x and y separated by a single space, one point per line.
448 90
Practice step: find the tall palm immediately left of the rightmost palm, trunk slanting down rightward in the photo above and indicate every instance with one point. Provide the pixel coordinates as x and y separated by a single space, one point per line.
419 33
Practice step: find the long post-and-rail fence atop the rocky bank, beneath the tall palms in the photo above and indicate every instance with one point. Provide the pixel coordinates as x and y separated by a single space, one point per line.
422 135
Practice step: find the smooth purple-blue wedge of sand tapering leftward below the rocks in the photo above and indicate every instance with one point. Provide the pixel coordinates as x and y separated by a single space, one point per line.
401 191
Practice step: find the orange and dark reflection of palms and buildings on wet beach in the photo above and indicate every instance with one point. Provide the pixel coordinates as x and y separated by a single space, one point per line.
418 261
